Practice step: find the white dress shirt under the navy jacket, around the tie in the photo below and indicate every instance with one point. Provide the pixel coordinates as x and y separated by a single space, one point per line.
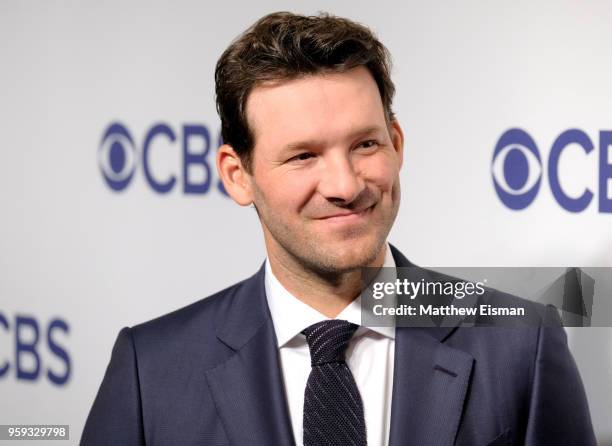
369 356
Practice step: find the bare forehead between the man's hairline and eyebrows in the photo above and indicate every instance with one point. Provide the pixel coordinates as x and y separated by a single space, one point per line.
326 106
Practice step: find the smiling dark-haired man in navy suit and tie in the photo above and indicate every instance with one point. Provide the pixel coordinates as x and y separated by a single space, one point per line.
280 358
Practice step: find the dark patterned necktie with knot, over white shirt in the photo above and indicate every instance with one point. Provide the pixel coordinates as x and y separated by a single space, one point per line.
333 411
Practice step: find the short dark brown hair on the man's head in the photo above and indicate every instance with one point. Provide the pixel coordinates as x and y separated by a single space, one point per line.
283 46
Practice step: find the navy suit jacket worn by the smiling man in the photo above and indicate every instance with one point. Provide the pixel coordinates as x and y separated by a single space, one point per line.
209 374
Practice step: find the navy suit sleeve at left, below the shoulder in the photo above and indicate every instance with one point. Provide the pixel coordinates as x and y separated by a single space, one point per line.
116 416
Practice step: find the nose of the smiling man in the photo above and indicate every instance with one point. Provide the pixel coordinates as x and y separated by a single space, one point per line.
339 181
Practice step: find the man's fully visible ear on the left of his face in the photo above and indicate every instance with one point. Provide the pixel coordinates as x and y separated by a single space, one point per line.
236 179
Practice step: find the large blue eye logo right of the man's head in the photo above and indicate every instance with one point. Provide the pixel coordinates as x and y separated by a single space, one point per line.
517 169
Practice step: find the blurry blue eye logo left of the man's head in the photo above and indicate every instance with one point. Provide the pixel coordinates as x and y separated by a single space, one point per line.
117 157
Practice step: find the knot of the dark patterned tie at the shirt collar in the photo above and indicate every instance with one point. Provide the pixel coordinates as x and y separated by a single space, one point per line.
328 340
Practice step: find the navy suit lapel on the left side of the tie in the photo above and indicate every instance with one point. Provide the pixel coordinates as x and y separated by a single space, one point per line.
248 388
